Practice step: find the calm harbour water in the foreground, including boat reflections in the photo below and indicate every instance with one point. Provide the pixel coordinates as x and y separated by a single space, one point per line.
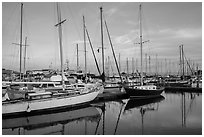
169 114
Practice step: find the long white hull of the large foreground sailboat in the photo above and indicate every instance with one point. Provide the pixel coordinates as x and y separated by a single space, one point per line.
47 103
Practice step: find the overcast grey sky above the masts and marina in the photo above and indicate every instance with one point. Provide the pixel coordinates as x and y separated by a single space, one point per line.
166 25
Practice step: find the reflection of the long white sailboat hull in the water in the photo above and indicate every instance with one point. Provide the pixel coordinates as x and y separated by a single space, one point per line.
45 120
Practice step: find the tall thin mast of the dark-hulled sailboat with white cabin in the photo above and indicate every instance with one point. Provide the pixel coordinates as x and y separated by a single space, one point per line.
141 80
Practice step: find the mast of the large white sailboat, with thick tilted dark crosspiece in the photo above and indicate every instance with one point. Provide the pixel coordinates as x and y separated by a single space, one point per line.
60 42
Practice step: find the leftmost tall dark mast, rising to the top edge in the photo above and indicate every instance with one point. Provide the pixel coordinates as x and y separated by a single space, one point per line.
21 31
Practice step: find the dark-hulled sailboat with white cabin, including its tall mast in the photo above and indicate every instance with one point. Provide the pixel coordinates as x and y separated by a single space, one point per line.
142 91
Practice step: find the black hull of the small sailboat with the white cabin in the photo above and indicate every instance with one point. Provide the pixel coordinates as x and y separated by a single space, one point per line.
143 93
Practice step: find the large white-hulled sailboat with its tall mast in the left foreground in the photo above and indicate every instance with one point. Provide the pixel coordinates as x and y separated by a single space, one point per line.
48 100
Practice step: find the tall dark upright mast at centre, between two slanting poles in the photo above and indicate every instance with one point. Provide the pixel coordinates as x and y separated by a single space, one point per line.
103 74
